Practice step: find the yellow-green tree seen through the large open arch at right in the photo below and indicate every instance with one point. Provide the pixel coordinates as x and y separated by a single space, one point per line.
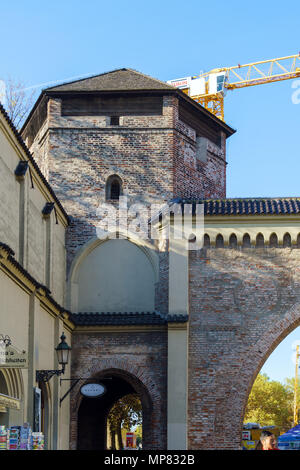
269 403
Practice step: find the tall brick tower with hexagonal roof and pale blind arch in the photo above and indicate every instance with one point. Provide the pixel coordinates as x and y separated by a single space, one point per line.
125 134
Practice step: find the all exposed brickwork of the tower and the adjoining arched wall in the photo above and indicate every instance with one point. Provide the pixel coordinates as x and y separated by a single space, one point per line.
235 295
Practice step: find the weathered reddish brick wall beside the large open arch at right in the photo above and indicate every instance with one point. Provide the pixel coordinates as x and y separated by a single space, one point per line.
236 296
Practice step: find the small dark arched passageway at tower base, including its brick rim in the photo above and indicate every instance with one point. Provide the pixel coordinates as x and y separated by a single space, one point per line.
89 416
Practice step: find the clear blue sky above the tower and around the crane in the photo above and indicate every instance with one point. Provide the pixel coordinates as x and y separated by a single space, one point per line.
47 41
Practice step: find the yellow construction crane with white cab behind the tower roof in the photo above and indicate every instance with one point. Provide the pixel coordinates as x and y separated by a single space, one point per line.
209 88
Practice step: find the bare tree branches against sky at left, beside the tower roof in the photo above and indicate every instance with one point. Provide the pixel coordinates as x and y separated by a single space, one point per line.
17 101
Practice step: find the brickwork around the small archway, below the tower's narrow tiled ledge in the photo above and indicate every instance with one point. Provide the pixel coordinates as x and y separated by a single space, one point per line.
141 357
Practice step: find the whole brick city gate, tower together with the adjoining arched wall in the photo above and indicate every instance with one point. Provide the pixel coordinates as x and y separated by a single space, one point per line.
192 326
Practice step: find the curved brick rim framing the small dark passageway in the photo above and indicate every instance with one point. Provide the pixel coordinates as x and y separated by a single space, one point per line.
140 381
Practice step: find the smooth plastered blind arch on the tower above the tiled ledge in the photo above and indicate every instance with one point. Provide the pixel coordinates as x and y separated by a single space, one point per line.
141 255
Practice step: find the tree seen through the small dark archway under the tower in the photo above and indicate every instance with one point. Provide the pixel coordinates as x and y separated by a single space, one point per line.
125 413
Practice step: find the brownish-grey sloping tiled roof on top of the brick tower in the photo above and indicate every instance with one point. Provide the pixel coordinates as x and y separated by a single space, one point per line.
121 79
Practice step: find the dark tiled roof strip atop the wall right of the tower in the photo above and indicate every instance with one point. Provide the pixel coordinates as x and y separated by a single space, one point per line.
244 206
